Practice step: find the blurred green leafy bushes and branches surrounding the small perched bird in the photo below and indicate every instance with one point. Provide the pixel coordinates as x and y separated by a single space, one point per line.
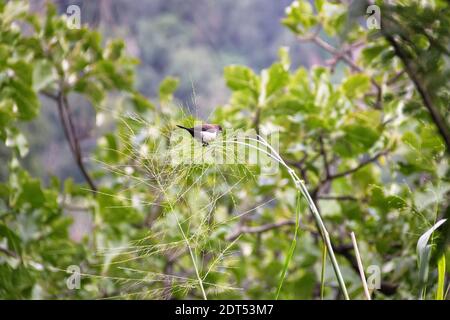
365 146
